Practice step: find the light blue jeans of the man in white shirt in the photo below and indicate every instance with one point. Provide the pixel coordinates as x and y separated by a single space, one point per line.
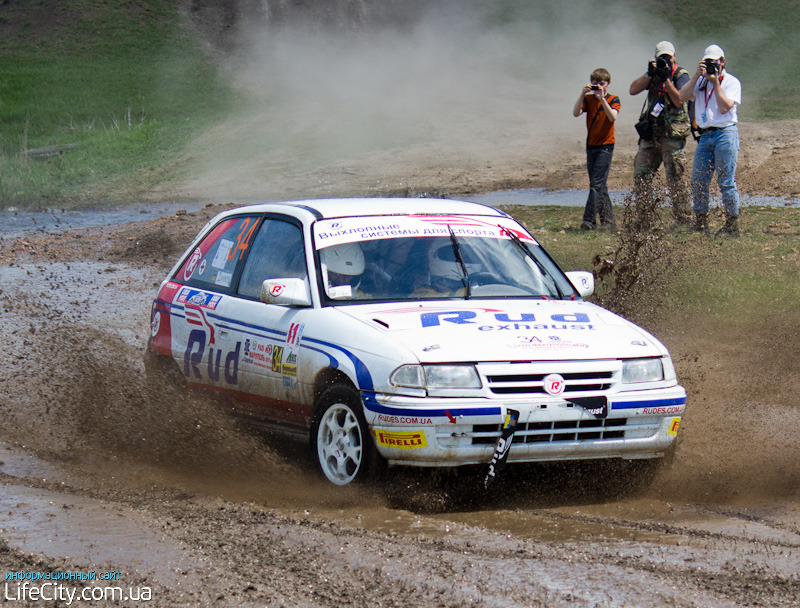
717 150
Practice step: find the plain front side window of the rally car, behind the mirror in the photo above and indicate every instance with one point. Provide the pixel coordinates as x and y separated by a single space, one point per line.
277 253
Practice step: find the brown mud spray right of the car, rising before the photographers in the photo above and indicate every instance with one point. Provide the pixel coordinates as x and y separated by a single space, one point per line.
738 439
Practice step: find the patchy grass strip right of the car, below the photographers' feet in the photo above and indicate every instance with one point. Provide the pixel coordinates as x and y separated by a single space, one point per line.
731 280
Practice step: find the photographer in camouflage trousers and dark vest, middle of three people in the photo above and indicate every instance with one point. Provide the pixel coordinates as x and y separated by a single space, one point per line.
663 127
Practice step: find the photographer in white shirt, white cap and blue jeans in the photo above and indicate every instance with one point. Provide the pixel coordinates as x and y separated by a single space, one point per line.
717 95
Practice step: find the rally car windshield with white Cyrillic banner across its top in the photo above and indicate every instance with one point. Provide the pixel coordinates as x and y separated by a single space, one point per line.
432 257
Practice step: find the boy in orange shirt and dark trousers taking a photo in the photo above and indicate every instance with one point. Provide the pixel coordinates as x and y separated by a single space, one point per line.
601 109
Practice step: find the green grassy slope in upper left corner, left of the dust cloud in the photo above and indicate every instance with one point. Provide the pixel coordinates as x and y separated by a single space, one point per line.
127 88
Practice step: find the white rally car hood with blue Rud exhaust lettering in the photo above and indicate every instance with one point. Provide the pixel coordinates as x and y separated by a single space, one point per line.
491 330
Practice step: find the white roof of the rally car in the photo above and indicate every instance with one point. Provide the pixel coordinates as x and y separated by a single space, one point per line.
354 207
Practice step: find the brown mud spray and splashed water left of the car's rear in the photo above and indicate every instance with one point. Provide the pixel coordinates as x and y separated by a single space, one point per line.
74 392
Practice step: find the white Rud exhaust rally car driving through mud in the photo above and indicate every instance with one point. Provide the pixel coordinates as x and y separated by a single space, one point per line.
416 332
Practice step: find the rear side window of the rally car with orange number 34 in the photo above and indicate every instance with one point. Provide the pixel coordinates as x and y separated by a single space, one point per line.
213 263
